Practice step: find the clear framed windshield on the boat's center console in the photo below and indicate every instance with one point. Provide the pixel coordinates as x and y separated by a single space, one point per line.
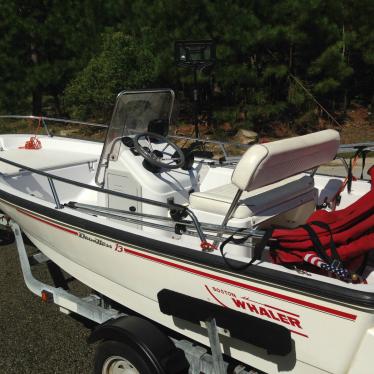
135 112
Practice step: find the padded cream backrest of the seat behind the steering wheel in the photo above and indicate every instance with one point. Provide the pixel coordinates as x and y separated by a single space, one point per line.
267 163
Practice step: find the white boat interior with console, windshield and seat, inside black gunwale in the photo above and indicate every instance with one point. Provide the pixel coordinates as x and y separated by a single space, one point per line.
140 181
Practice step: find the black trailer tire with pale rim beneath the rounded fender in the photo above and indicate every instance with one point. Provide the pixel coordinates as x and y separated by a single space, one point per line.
114 357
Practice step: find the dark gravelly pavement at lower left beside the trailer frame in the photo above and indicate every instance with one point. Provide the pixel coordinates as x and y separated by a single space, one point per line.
35 337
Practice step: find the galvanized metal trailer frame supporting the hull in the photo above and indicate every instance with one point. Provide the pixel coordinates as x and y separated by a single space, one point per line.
98 309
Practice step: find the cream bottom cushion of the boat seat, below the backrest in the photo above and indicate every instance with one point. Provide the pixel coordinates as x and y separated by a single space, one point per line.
218 200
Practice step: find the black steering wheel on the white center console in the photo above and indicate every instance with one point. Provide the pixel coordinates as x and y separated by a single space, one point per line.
169 157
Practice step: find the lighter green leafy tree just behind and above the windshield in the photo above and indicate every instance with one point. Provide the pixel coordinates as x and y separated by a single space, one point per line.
123 63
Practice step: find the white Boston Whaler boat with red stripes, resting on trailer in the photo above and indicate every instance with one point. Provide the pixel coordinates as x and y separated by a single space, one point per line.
181 239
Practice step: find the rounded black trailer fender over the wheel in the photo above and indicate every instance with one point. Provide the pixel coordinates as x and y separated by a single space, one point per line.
145 338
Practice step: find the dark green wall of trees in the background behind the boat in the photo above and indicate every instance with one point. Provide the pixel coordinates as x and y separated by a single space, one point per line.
97 48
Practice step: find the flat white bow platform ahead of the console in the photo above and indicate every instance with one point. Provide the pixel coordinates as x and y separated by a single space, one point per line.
42 159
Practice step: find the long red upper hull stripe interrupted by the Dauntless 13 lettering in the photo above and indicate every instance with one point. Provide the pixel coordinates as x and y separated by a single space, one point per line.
218 278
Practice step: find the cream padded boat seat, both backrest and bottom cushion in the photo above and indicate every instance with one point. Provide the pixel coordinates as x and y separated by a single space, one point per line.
270 178
